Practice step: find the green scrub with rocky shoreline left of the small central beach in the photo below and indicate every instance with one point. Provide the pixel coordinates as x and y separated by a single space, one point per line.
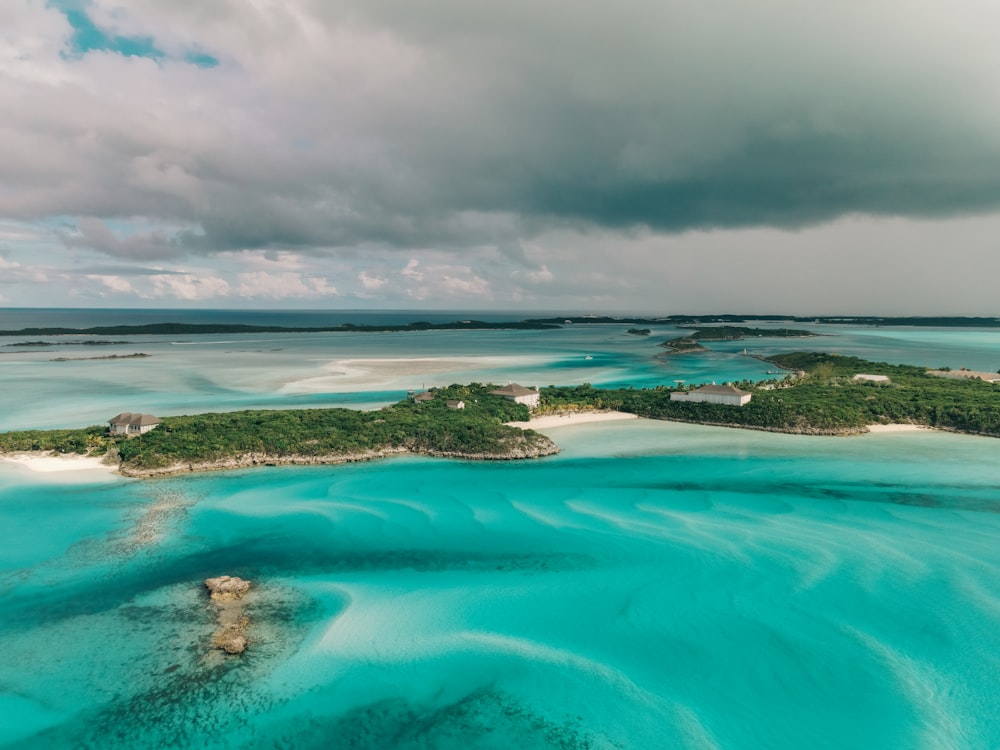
477 431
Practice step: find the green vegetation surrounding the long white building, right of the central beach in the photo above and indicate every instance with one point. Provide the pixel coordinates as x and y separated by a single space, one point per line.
825 401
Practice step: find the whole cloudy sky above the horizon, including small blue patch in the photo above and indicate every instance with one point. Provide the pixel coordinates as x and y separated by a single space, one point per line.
643 156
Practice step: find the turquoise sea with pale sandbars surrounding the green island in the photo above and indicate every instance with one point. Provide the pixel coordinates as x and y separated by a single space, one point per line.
655 585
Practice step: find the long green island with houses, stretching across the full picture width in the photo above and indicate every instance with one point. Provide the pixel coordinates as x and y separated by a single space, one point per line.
822 394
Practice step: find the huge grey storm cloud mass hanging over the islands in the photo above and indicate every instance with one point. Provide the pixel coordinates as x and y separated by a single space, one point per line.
454 124
